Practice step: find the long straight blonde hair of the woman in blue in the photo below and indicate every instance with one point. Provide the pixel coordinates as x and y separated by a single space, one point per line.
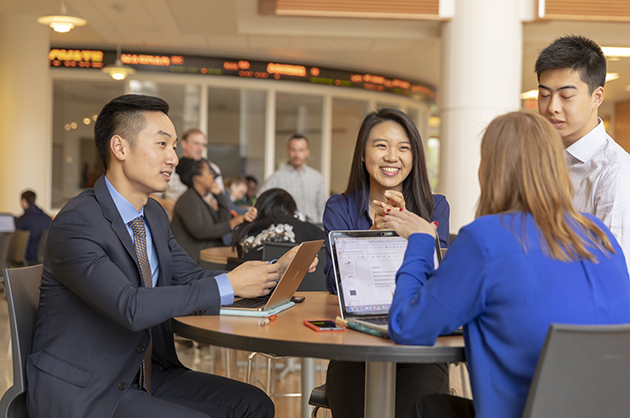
523 170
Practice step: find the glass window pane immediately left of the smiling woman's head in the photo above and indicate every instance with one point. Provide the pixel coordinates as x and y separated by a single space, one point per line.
347 118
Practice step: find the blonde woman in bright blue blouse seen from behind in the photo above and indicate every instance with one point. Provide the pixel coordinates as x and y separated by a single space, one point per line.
529 259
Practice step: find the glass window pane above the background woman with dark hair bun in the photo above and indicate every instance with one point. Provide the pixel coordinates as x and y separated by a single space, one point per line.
236 131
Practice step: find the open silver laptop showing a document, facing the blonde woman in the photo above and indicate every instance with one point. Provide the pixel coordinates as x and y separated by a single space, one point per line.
365 265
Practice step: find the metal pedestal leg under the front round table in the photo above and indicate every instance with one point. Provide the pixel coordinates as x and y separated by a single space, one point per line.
380 389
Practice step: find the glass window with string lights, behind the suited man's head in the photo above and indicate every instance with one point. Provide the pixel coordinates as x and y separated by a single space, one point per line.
76 164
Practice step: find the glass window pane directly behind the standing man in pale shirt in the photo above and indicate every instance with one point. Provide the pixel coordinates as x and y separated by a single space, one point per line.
299 113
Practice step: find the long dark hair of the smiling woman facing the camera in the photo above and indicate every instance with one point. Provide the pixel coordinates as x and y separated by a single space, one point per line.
416 187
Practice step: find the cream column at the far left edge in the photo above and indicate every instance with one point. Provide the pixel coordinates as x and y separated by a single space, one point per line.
25 111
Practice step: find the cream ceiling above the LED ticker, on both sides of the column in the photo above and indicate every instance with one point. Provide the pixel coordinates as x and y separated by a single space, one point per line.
234 28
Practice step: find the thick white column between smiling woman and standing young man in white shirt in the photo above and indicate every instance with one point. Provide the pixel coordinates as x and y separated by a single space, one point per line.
482 64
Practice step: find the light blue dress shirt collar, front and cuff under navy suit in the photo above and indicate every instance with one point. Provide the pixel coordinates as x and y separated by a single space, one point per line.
128 213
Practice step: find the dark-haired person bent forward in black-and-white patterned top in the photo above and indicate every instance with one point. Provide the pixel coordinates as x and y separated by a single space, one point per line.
276 222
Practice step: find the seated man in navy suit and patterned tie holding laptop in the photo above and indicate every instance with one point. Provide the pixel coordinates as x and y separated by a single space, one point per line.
97 316
